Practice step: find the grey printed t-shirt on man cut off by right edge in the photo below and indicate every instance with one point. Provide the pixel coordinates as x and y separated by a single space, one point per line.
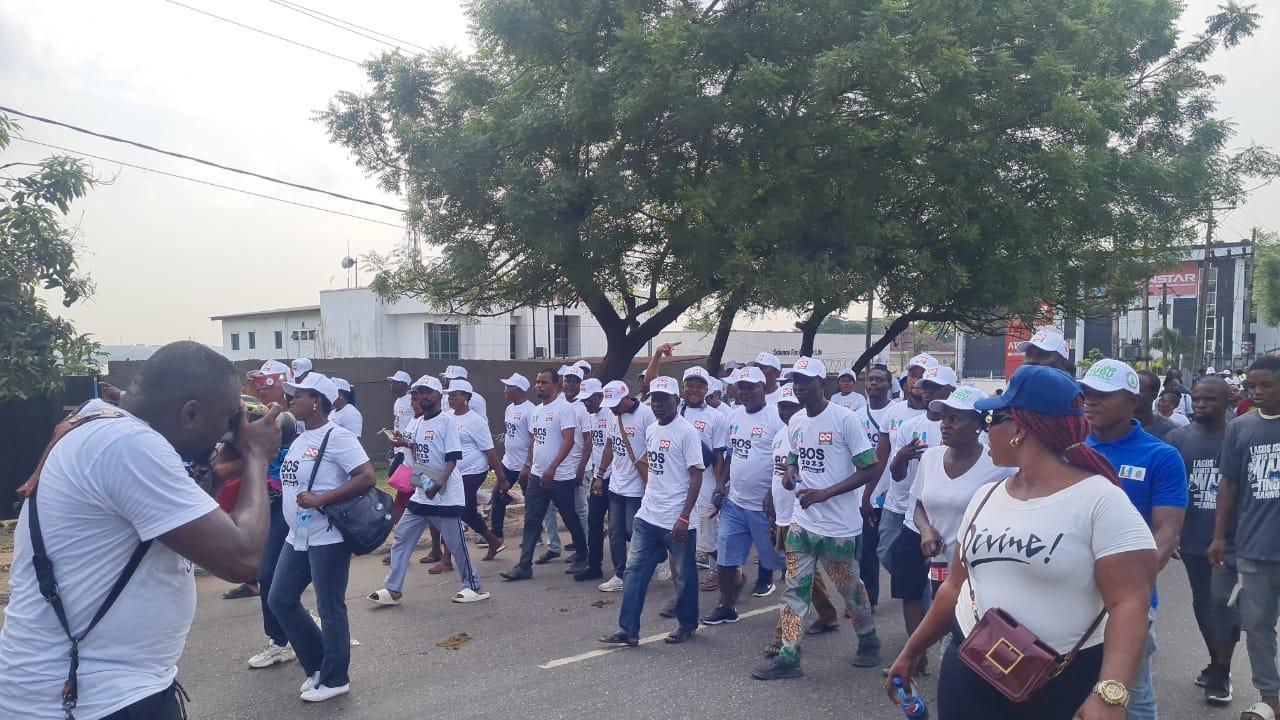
1251 455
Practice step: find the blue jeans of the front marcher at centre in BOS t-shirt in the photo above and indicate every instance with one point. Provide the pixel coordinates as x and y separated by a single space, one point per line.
650 546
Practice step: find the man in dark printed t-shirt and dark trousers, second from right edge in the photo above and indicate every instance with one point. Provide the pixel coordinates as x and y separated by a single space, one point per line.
1201 445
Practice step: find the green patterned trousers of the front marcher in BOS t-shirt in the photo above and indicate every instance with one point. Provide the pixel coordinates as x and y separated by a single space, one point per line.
839 558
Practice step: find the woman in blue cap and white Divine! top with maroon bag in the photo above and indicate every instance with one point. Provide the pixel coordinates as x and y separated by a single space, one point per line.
1053 548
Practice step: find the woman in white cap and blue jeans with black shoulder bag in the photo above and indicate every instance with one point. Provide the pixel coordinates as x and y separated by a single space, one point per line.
314 553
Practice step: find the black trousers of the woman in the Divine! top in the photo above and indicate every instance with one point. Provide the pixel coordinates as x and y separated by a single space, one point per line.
963 695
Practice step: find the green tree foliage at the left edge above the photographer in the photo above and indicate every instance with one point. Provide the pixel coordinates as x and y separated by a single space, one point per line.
38 250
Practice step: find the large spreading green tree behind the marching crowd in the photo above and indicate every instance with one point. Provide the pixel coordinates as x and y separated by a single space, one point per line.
966 161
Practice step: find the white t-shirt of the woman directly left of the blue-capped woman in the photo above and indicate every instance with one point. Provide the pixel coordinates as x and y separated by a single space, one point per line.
945 499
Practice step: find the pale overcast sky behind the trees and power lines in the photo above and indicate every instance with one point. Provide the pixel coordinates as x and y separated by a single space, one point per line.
167 254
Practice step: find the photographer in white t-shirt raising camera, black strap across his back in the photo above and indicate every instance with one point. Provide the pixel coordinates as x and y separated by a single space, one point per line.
86 566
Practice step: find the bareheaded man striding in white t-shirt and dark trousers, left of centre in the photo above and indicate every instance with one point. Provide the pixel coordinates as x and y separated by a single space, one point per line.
550 476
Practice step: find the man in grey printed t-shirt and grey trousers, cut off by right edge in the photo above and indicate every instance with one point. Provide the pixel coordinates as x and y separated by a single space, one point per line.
1249 499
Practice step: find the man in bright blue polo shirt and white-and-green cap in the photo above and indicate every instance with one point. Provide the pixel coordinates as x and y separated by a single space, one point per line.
1154 479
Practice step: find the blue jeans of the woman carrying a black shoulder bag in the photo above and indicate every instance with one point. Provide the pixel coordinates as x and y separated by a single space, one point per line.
328 650
